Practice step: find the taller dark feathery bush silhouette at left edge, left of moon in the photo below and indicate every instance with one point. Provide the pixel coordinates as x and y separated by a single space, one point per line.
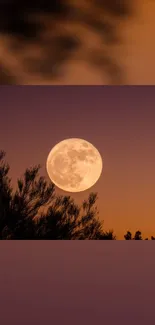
18 209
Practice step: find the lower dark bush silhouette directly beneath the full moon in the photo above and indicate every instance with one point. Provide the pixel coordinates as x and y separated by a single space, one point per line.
65 220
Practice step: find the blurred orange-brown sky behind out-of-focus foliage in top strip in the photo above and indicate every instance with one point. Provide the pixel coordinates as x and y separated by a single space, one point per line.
135 54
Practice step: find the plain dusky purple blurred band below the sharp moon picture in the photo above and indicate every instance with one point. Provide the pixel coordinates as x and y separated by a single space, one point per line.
86 282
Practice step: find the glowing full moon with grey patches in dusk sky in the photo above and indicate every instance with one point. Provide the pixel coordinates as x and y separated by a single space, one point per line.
74 165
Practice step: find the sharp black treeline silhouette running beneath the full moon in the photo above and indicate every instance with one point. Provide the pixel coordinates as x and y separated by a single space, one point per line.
35 211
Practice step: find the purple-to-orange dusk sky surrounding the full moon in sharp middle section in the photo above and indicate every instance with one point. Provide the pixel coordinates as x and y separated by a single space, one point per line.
118 121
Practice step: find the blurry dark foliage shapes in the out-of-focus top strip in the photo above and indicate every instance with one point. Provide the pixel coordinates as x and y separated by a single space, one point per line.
21 20
